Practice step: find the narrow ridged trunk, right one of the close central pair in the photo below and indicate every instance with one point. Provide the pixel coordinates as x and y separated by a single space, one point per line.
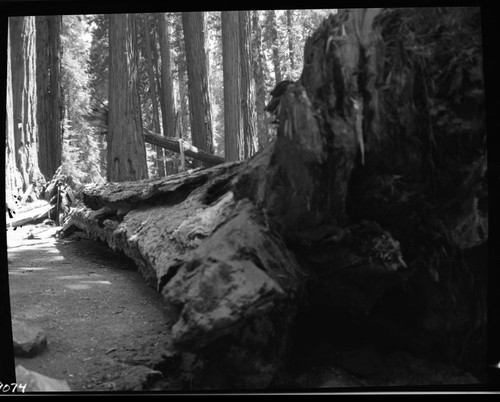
247 91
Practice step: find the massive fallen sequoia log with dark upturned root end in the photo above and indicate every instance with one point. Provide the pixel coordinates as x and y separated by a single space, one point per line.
366 215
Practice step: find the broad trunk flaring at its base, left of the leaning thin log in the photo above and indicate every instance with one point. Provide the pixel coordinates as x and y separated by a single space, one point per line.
126 150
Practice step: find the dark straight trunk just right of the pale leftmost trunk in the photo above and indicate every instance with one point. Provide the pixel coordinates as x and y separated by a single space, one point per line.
48 29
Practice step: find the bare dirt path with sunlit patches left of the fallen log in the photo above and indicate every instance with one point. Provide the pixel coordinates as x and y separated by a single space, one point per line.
102 321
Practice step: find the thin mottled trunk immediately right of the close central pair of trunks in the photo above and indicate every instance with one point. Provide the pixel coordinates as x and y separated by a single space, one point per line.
258 68
